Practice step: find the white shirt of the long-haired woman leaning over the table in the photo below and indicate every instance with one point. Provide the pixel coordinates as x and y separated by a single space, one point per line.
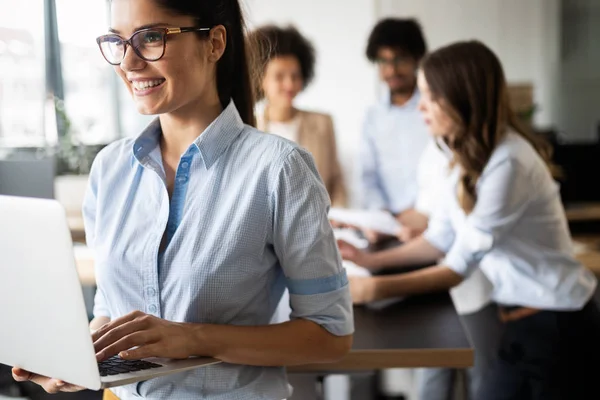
517 233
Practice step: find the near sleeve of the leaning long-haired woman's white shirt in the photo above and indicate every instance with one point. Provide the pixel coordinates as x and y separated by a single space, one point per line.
502 198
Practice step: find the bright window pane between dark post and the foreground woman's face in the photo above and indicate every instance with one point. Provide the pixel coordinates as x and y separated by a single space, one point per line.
90 84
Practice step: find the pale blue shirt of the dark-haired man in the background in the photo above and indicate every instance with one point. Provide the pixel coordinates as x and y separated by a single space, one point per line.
393 139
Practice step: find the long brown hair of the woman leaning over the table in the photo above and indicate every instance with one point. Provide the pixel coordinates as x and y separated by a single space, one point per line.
468 81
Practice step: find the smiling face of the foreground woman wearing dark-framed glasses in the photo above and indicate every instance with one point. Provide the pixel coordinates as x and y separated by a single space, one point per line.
185 75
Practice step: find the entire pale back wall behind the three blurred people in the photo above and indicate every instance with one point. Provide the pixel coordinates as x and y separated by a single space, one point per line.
526 35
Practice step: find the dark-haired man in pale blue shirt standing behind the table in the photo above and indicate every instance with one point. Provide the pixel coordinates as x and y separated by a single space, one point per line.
394 134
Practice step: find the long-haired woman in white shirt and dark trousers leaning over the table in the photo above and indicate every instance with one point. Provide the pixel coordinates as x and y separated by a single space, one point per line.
503 214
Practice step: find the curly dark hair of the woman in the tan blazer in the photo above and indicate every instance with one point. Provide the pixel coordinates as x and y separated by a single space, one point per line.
272 41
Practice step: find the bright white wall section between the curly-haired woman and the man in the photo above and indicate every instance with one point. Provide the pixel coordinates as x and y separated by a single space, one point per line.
345 83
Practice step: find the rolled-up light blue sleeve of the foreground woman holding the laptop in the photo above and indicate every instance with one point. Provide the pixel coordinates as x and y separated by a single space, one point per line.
306 248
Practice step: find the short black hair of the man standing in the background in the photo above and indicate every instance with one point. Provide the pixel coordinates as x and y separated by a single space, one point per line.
403 34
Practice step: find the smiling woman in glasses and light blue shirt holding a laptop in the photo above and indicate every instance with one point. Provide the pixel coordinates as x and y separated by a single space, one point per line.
200 223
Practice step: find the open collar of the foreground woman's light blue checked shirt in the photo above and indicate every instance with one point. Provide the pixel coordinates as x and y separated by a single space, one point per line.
211 143
